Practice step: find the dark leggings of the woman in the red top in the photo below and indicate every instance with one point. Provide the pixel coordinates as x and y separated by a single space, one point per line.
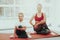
42 29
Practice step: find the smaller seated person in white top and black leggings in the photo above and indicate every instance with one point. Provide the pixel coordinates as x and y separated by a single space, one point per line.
20 27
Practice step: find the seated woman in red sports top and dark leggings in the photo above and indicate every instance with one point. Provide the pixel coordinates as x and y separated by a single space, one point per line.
40 22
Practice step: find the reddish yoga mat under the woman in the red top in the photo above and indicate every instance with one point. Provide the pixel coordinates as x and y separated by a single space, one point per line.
52 34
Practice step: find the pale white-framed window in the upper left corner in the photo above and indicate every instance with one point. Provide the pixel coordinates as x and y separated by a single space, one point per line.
7 8
